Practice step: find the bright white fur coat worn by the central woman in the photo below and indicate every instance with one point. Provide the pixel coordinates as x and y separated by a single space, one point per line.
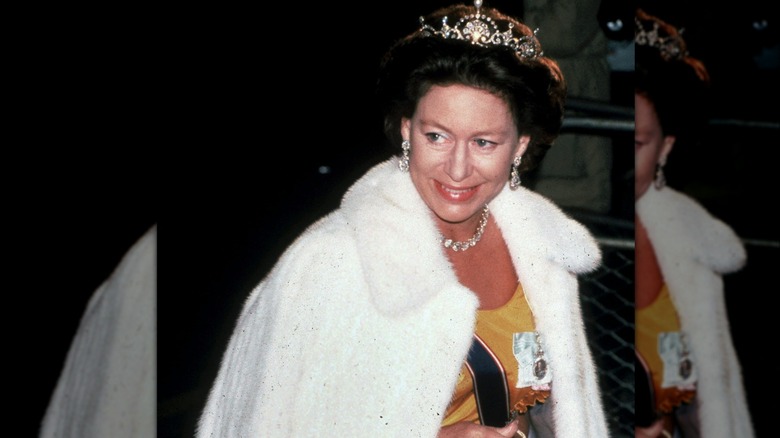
362 326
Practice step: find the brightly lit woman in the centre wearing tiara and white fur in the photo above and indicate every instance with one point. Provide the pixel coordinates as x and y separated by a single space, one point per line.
376 319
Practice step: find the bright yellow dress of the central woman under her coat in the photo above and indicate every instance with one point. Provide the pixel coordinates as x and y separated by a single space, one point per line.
496 327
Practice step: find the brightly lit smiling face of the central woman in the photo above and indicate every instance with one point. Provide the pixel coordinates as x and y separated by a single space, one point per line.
463 141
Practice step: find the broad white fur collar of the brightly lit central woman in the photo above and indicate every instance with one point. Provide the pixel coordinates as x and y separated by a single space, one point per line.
400 250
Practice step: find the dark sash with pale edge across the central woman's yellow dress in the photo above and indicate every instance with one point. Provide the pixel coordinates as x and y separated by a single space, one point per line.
490 387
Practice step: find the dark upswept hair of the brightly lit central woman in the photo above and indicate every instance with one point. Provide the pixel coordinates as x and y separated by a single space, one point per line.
533 87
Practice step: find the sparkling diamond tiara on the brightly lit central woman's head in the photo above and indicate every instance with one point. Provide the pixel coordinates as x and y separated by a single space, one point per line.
481 30
